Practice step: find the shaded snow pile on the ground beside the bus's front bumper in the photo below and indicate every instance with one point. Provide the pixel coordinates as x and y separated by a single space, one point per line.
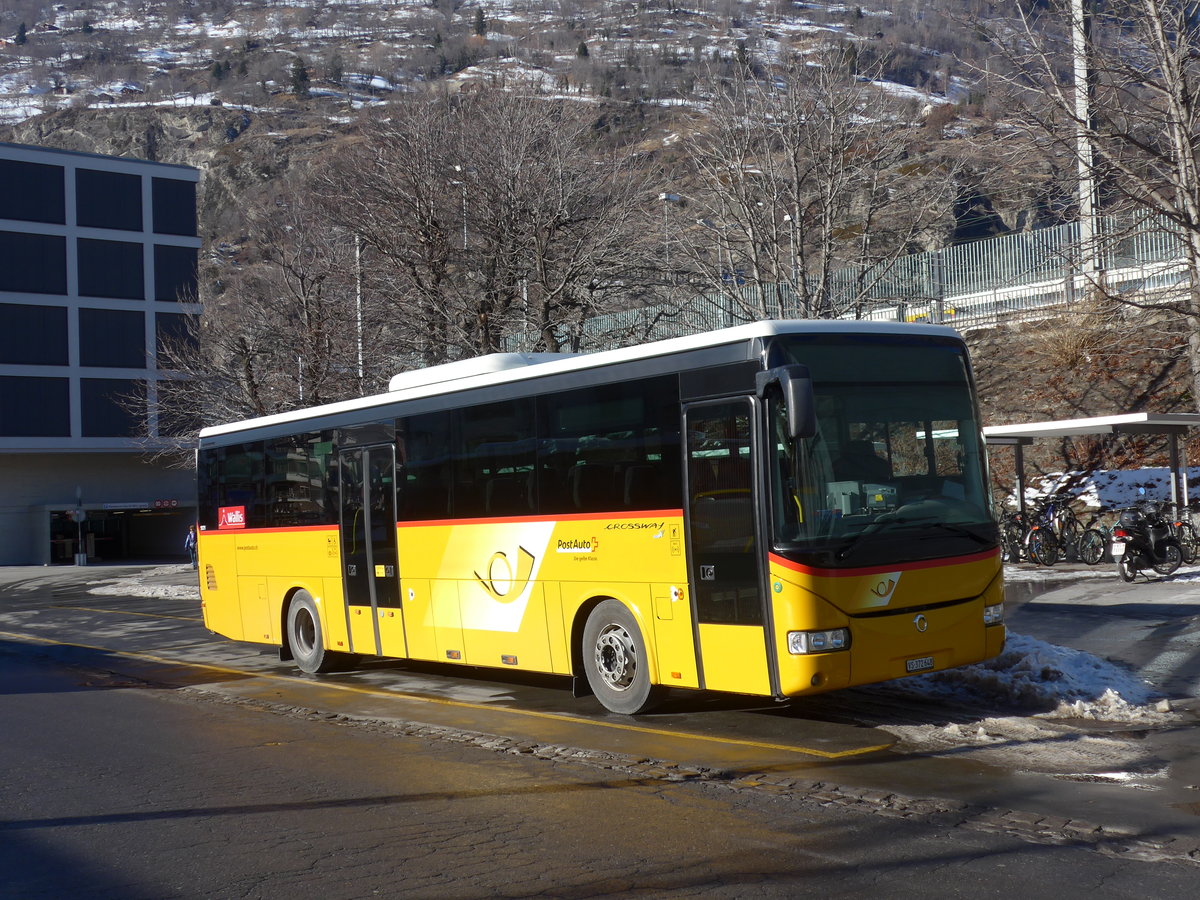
1058 682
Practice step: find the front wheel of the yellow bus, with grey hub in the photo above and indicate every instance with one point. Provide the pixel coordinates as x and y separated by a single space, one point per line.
615 661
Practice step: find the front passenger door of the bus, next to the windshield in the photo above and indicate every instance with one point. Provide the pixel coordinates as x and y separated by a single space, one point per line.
724 547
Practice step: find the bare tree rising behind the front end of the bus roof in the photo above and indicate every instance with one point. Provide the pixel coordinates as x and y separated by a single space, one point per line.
803 172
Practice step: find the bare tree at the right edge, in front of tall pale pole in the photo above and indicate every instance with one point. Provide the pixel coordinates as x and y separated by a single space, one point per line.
1138 139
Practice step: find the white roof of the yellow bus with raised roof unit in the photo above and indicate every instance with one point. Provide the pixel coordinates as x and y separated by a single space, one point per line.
506 368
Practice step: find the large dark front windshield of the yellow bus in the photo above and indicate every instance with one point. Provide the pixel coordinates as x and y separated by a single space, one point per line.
897 470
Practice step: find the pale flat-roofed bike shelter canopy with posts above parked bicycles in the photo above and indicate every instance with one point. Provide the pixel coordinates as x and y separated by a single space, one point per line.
1172 425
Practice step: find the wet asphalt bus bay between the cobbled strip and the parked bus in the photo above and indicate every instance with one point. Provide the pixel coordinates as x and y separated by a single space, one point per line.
837 746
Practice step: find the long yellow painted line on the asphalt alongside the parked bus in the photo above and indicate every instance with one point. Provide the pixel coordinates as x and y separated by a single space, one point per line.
458 704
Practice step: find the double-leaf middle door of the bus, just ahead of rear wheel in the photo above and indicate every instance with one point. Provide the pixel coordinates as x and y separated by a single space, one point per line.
370 569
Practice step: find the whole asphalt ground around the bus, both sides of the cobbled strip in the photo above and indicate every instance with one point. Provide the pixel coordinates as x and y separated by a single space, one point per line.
152 760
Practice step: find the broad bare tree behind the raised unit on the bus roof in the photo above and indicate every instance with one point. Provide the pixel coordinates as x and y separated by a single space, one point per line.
496 219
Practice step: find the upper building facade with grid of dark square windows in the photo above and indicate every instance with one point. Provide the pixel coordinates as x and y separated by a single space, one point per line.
89 298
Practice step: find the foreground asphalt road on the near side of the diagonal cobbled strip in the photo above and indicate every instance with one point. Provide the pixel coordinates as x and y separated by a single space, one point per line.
123 791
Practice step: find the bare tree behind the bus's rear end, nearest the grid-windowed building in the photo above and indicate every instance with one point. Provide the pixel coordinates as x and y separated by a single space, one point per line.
283 328
